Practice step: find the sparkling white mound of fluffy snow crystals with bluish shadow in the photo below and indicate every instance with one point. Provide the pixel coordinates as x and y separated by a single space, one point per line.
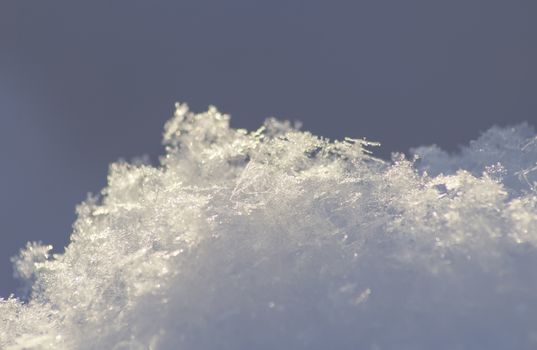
278 239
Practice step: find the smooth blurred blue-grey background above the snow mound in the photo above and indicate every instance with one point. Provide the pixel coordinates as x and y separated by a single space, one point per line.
85 83
